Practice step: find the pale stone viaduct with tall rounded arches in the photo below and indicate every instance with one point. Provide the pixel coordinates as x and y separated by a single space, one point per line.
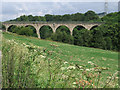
54 26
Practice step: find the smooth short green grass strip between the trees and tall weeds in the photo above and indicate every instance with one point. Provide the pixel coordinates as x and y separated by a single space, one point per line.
75 54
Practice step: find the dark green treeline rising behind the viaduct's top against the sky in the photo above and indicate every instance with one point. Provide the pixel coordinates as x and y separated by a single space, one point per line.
88 16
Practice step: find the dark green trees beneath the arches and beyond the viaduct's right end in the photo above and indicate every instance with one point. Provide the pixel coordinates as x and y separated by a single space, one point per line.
105 36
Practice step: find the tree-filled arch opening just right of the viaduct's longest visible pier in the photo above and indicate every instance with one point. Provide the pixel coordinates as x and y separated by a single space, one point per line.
45 32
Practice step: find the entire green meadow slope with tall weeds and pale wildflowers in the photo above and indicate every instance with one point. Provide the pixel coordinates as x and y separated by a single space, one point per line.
31 62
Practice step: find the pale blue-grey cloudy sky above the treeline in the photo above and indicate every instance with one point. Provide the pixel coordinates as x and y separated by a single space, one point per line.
12 9
